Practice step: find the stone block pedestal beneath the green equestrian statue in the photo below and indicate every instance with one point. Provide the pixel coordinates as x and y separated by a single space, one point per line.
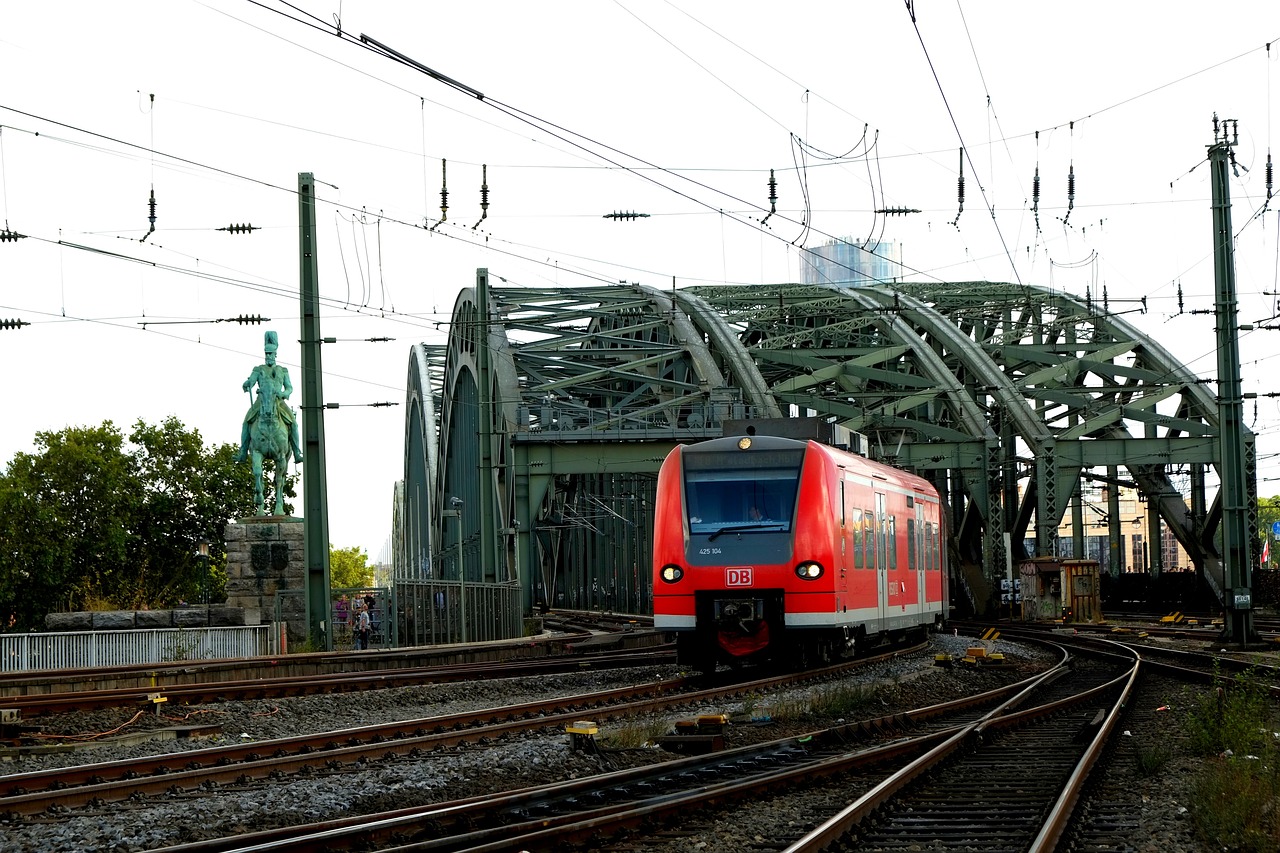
267 572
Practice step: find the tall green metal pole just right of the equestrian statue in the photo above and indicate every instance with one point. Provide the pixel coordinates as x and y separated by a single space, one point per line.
316 491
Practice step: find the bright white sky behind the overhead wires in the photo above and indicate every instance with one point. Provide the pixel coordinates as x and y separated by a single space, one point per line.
712 93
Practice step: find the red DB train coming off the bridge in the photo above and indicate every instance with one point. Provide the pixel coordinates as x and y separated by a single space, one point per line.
793 551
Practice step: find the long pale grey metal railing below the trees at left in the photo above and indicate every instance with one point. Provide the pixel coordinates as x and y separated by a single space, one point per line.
80 650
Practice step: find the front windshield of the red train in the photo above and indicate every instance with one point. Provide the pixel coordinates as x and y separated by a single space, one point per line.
742 490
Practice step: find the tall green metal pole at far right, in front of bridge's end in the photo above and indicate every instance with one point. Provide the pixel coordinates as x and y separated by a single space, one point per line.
1238 626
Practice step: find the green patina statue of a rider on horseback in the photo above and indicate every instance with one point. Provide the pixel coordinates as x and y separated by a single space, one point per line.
271 428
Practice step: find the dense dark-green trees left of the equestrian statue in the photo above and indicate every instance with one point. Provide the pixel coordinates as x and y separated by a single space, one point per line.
89 521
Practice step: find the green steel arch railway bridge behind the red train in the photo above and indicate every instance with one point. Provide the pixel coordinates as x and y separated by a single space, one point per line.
546 417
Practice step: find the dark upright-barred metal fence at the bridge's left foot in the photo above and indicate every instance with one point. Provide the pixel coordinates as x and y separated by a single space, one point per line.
445 612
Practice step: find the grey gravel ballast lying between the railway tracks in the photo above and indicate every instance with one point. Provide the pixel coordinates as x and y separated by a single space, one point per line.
1159 804
